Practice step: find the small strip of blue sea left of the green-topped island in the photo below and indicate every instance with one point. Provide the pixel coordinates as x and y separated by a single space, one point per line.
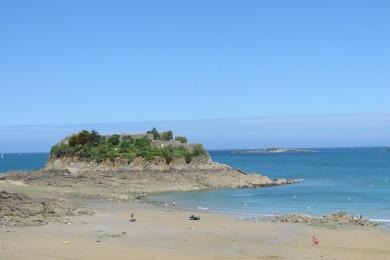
22 161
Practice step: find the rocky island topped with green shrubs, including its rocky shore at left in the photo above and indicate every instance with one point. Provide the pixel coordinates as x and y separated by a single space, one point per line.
119 167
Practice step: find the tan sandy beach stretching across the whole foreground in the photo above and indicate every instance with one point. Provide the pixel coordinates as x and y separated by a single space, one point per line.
169 234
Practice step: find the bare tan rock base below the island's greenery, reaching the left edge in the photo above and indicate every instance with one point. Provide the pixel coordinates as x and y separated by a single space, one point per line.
130 185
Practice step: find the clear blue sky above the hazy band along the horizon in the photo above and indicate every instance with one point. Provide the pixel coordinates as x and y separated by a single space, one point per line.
93 61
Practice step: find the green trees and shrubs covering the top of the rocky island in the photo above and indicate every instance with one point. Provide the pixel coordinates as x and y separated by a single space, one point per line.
91 146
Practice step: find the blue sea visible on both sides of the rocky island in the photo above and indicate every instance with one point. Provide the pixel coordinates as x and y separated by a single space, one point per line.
355 180
